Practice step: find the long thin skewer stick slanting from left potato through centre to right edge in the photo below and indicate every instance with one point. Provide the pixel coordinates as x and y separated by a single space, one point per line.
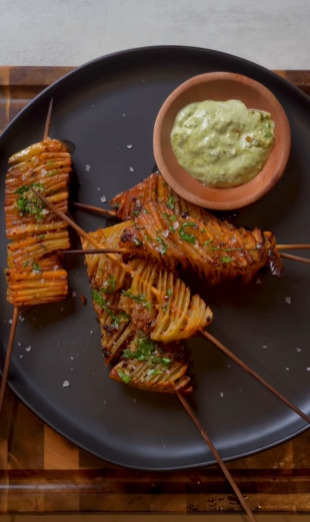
210 337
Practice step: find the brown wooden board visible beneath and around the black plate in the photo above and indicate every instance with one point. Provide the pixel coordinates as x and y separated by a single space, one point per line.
41 472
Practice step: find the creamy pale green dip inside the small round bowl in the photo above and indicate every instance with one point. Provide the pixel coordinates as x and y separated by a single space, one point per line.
222 144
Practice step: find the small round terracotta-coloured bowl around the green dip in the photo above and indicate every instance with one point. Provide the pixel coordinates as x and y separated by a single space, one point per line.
221 86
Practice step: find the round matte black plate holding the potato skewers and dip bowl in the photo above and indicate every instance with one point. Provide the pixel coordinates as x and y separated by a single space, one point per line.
102 107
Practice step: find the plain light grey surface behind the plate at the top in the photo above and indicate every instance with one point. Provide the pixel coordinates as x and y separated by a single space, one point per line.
273 33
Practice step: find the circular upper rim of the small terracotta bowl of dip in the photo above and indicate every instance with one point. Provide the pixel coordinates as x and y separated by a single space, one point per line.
235 201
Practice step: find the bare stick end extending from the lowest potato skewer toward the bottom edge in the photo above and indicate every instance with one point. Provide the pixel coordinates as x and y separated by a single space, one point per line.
216 455
